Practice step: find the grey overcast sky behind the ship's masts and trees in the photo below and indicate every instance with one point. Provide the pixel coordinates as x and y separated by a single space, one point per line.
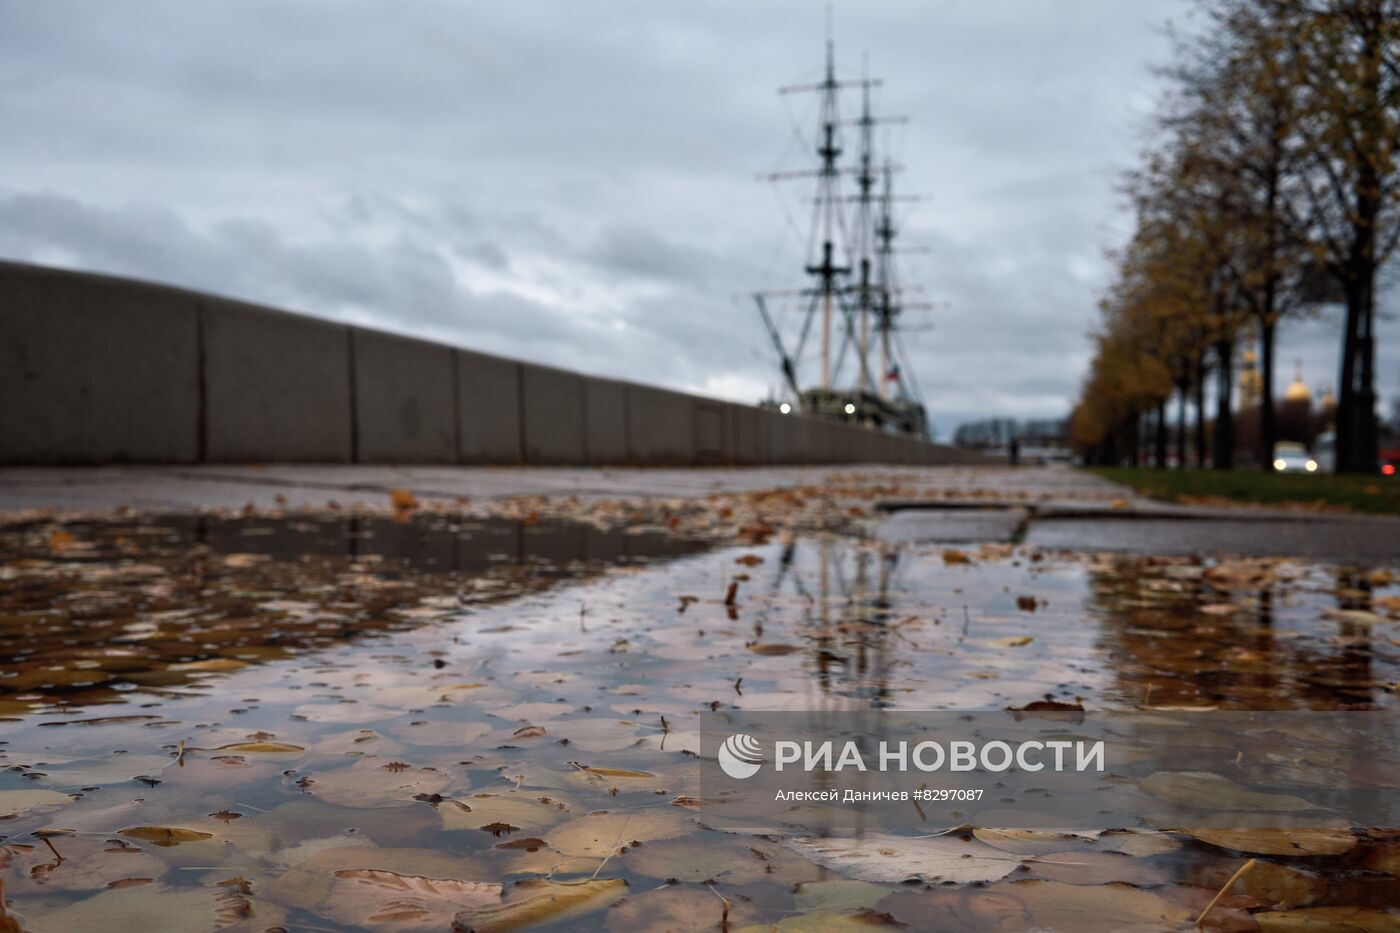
575 183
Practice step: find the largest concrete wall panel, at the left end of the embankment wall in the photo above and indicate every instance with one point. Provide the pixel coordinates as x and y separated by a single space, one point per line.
96 371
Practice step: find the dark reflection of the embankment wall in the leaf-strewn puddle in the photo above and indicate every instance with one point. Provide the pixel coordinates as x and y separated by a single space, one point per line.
96 610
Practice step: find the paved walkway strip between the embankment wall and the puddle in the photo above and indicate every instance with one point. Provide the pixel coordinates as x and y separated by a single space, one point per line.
1052 508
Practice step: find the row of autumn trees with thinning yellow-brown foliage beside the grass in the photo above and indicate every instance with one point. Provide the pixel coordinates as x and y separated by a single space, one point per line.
1273 187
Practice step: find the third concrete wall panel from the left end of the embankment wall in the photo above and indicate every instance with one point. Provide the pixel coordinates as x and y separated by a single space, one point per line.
405 400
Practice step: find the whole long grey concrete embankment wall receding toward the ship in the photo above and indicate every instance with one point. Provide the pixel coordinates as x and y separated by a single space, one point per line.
99 371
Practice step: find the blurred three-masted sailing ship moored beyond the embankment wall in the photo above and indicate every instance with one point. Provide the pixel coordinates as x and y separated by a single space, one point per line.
855 296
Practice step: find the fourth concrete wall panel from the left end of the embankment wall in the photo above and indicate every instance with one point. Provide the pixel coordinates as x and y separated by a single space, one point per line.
489 410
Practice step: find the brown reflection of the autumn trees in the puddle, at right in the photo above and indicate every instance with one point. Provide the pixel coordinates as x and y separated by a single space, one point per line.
1240 634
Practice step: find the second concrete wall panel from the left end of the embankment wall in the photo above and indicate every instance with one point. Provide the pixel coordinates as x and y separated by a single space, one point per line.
276 386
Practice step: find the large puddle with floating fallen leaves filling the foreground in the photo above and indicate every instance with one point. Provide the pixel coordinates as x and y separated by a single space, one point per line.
503 764
